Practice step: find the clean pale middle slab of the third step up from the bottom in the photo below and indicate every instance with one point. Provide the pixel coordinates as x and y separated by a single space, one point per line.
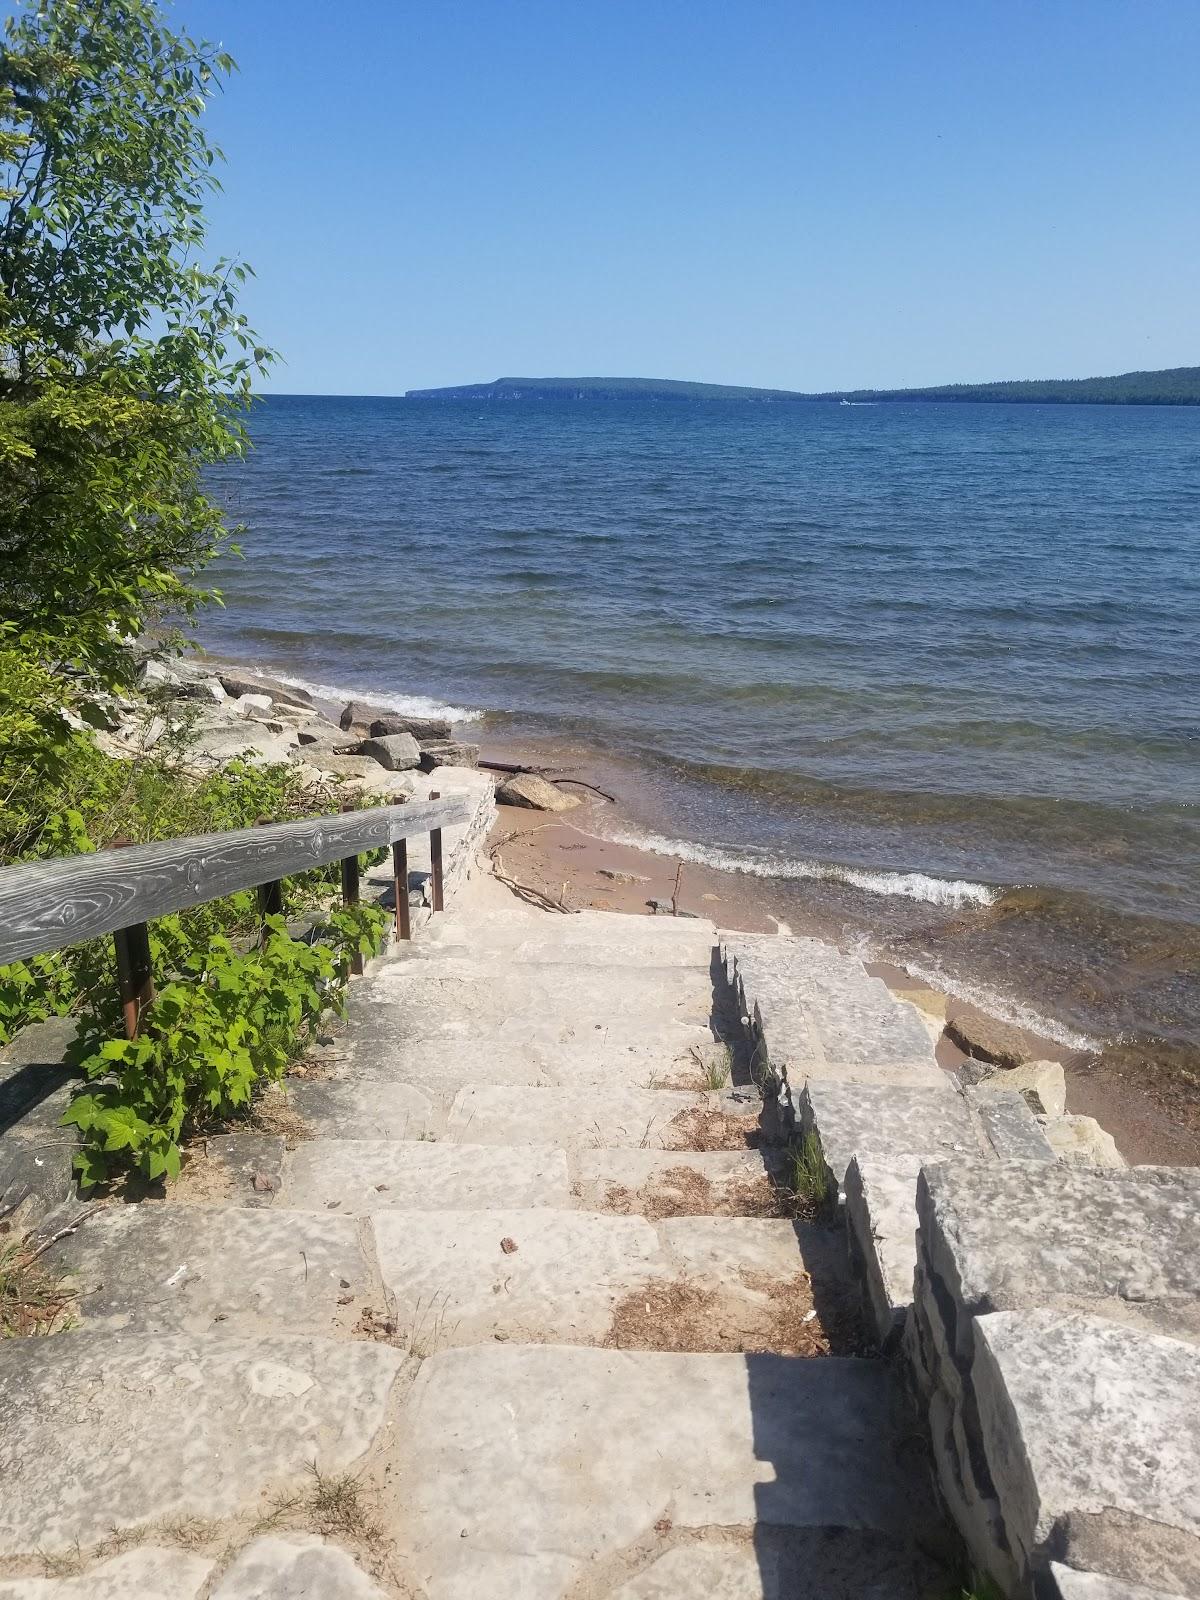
377 1175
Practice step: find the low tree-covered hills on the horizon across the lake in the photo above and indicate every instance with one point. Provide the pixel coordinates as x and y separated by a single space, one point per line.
1174 386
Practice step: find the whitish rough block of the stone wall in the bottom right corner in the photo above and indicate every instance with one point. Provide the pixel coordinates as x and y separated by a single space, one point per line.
1081 1422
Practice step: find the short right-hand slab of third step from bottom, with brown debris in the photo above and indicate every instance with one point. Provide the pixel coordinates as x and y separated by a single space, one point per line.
679 1183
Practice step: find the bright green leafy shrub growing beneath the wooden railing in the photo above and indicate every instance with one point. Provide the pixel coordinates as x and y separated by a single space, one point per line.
228 1025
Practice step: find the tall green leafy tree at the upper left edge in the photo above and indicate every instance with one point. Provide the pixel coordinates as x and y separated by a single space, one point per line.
124 361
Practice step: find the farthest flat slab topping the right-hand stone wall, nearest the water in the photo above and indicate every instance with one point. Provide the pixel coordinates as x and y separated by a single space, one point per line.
817 1014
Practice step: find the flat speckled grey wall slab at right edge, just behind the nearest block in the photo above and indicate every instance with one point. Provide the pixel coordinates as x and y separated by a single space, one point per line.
1026 1234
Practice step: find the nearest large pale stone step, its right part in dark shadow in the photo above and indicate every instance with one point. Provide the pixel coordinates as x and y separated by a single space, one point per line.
527 1471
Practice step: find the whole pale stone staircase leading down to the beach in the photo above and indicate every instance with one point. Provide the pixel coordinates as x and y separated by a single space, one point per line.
516 1308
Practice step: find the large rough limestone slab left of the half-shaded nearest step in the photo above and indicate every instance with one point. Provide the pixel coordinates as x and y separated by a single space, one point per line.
116 1430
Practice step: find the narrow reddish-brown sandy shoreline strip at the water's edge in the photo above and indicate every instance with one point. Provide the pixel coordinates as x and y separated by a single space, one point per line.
1151 1108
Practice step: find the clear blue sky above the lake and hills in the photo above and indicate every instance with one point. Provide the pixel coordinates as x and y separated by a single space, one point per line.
742 191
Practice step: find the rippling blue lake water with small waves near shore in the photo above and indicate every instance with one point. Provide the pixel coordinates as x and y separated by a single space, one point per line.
935 668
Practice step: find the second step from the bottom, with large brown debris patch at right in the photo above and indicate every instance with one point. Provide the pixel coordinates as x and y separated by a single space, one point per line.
580 1278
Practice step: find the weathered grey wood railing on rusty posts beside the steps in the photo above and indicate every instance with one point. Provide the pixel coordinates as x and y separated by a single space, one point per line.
49 905
